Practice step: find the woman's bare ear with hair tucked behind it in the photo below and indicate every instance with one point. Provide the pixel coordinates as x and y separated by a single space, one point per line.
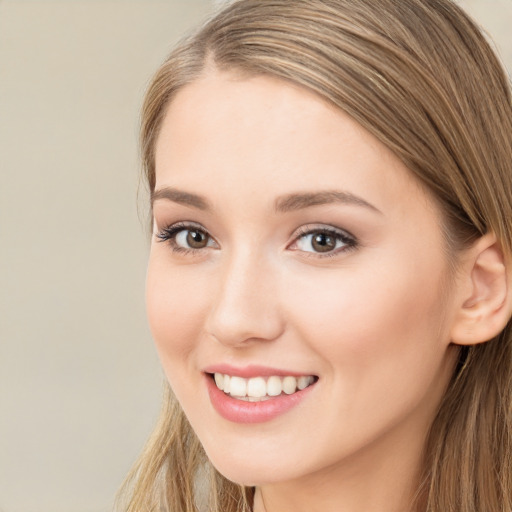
486 298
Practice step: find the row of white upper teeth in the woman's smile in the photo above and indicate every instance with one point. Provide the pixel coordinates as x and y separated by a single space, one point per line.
261 388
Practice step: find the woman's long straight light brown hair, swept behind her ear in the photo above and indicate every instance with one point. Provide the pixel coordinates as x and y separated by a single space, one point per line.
418 75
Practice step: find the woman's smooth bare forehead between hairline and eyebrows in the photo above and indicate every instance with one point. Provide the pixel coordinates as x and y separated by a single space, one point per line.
258 137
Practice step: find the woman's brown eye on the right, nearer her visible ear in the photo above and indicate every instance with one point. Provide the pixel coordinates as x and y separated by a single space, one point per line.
326 241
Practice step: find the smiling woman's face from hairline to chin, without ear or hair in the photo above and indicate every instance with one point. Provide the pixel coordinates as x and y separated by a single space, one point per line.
293 249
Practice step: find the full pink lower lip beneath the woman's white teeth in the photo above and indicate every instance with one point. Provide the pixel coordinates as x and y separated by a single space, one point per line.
240 411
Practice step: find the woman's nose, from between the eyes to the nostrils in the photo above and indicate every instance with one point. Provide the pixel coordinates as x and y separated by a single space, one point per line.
245 307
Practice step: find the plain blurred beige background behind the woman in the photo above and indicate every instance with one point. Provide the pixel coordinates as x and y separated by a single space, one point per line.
79 379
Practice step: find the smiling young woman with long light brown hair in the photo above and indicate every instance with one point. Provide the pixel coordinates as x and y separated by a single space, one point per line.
329 277
